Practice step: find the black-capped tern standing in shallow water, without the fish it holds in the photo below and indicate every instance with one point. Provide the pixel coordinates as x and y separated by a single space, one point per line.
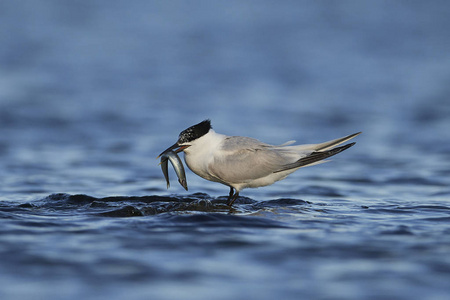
242 162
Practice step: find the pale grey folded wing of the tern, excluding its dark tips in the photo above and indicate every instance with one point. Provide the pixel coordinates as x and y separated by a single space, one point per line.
244 159
